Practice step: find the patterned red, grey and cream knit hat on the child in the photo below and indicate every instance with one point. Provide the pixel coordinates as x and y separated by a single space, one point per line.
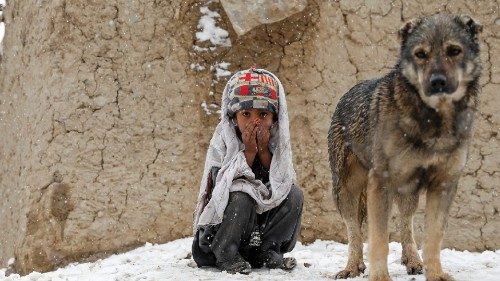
252 88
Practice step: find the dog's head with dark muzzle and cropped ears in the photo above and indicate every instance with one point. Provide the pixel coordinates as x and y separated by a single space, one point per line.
440 56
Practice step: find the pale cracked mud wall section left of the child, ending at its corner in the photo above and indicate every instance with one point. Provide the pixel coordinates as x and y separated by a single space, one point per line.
100 126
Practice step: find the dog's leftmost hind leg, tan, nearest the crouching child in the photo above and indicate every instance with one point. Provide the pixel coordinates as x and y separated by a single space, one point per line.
351 201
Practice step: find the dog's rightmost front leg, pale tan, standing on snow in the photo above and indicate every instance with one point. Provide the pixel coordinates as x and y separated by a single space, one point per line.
439 198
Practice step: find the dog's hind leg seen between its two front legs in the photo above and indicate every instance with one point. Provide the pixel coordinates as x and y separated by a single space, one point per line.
407 205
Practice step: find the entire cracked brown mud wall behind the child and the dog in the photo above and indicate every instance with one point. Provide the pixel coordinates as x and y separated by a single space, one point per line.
107 107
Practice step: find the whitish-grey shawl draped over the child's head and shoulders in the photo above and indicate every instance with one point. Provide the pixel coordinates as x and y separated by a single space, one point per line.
226 151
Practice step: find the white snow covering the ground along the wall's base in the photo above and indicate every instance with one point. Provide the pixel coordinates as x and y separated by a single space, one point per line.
317 261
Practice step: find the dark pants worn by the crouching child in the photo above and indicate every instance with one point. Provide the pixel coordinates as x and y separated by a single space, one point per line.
279 229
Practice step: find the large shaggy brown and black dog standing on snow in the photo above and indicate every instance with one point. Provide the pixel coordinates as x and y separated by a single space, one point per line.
394 137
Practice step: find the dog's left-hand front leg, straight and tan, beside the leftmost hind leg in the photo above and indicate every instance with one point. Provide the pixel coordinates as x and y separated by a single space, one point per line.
379 202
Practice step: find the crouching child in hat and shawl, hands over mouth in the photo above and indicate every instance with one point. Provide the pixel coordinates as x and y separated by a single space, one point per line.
249 207
